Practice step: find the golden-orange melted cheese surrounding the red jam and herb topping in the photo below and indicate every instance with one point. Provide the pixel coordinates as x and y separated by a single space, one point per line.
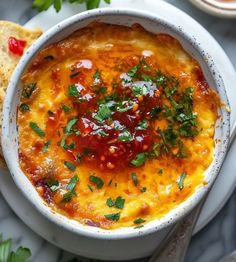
104 46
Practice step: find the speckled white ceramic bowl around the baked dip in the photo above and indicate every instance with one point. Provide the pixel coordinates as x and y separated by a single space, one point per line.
111 243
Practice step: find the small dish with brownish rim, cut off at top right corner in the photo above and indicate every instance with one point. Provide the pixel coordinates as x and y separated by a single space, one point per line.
220 8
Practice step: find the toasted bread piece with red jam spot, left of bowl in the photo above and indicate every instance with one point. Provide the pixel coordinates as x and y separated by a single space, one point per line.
8 61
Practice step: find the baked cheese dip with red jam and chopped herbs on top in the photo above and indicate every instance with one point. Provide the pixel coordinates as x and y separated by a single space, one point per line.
116 125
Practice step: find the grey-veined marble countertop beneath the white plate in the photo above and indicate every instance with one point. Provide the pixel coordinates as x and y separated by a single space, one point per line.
213 242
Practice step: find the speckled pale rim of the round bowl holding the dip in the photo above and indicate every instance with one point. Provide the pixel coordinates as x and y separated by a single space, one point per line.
181 210
